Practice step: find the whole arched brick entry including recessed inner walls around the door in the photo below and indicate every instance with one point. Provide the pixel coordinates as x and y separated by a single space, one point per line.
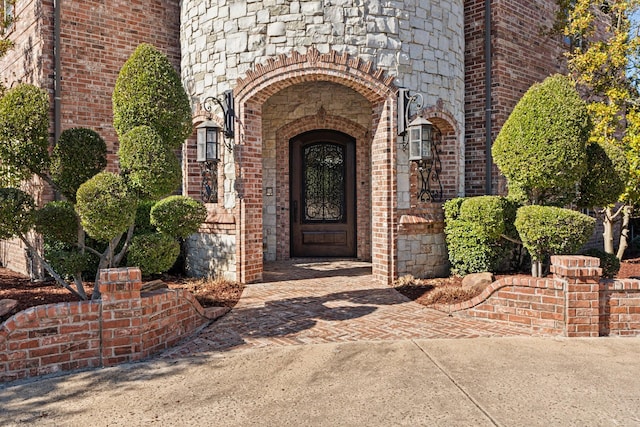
297 94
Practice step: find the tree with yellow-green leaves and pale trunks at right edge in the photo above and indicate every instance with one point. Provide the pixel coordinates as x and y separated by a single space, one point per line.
605 65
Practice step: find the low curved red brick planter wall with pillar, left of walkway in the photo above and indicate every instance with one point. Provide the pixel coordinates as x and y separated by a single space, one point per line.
122 327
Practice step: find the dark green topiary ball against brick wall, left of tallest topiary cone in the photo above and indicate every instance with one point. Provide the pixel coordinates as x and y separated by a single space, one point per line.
78 156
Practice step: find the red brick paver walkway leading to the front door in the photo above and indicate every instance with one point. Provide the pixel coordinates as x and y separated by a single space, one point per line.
305 302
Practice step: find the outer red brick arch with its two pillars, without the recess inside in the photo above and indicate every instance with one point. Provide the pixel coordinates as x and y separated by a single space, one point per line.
265 80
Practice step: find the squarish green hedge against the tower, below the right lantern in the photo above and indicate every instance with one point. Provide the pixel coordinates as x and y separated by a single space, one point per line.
474 227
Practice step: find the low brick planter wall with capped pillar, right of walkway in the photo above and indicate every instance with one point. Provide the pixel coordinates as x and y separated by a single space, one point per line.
574 302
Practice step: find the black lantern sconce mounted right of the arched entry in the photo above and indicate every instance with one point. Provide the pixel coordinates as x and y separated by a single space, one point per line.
418 137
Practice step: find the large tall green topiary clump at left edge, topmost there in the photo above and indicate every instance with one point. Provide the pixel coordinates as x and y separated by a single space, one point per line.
24 133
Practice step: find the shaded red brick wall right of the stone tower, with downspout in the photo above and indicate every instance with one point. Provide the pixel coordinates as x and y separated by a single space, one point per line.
521 54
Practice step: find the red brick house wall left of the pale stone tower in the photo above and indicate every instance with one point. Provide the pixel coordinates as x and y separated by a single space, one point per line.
97 37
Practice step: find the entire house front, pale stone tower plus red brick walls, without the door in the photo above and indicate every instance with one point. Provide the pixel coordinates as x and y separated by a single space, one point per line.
295 67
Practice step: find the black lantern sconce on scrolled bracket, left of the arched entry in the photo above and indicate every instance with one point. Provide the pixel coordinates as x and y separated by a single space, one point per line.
209 138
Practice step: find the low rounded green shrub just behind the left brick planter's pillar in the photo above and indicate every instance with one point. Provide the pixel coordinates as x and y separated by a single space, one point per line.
153 253
